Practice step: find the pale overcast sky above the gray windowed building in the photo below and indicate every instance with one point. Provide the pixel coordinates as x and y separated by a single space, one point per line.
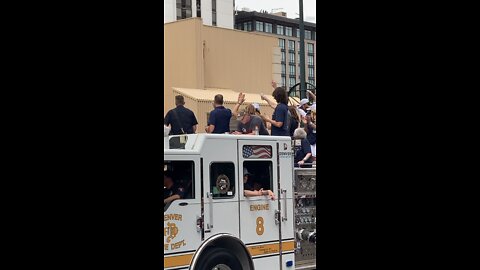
289 6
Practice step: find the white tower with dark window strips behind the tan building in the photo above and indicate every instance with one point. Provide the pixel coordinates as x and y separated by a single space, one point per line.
213 12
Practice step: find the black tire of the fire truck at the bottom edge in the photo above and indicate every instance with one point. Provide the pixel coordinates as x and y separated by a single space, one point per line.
218 256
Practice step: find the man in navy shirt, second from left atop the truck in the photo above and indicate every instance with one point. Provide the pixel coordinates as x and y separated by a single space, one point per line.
219 121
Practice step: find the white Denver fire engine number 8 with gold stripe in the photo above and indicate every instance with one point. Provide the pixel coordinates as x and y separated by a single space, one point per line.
215 226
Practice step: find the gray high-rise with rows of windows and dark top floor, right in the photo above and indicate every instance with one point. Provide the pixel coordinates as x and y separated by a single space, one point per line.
288 33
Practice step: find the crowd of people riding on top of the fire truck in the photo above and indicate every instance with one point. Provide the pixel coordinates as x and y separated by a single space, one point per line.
297 122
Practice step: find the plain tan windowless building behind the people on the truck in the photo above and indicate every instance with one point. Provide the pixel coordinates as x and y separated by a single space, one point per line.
202 61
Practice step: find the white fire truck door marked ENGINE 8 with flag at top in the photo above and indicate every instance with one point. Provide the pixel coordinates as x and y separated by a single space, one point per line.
259 227
